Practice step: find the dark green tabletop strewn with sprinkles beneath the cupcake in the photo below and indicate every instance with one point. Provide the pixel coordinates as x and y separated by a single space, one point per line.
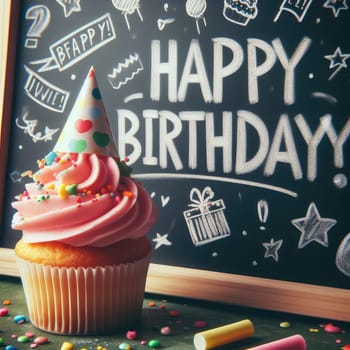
158 313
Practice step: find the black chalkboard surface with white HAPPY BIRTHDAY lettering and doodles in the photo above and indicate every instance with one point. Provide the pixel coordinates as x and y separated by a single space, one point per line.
233 114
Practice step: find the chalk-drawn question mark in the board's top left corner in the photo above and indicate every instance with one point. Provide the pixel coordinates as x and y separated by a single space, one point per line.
41 16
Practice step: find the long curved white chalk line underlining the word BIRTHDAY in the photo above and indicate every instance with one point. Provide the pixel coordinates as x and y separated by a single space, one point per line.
155 176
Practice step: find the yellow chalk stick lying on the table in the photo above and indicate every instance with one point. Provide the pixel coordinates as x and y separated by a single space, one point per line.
223 335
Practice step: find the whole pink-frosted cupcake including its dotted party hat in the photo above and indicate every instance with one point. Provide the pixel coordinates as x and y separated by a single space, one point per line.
83 256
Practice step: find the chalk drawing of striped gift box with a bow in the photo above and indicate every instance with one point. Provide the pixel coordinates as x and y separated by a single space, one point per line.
206 222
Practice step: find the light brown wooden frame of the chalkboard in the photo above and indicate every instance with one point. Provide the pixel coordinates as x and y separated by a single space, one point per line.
277 295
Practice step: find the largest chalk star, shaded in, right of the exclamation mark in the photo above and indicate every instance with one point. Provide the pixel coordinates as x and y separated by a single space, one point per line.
313 227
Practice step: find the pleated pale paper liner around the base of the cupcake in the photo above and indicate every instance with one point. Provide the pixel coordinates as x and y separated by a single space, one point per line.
82 301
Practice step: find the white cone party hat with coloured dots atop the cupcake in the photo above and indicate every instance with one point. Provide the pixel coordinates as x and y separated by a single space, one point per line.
87 128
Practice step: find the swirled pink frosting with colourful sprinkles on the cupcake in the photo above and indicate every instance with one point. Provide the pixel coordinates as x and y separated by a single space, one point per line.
83 200
